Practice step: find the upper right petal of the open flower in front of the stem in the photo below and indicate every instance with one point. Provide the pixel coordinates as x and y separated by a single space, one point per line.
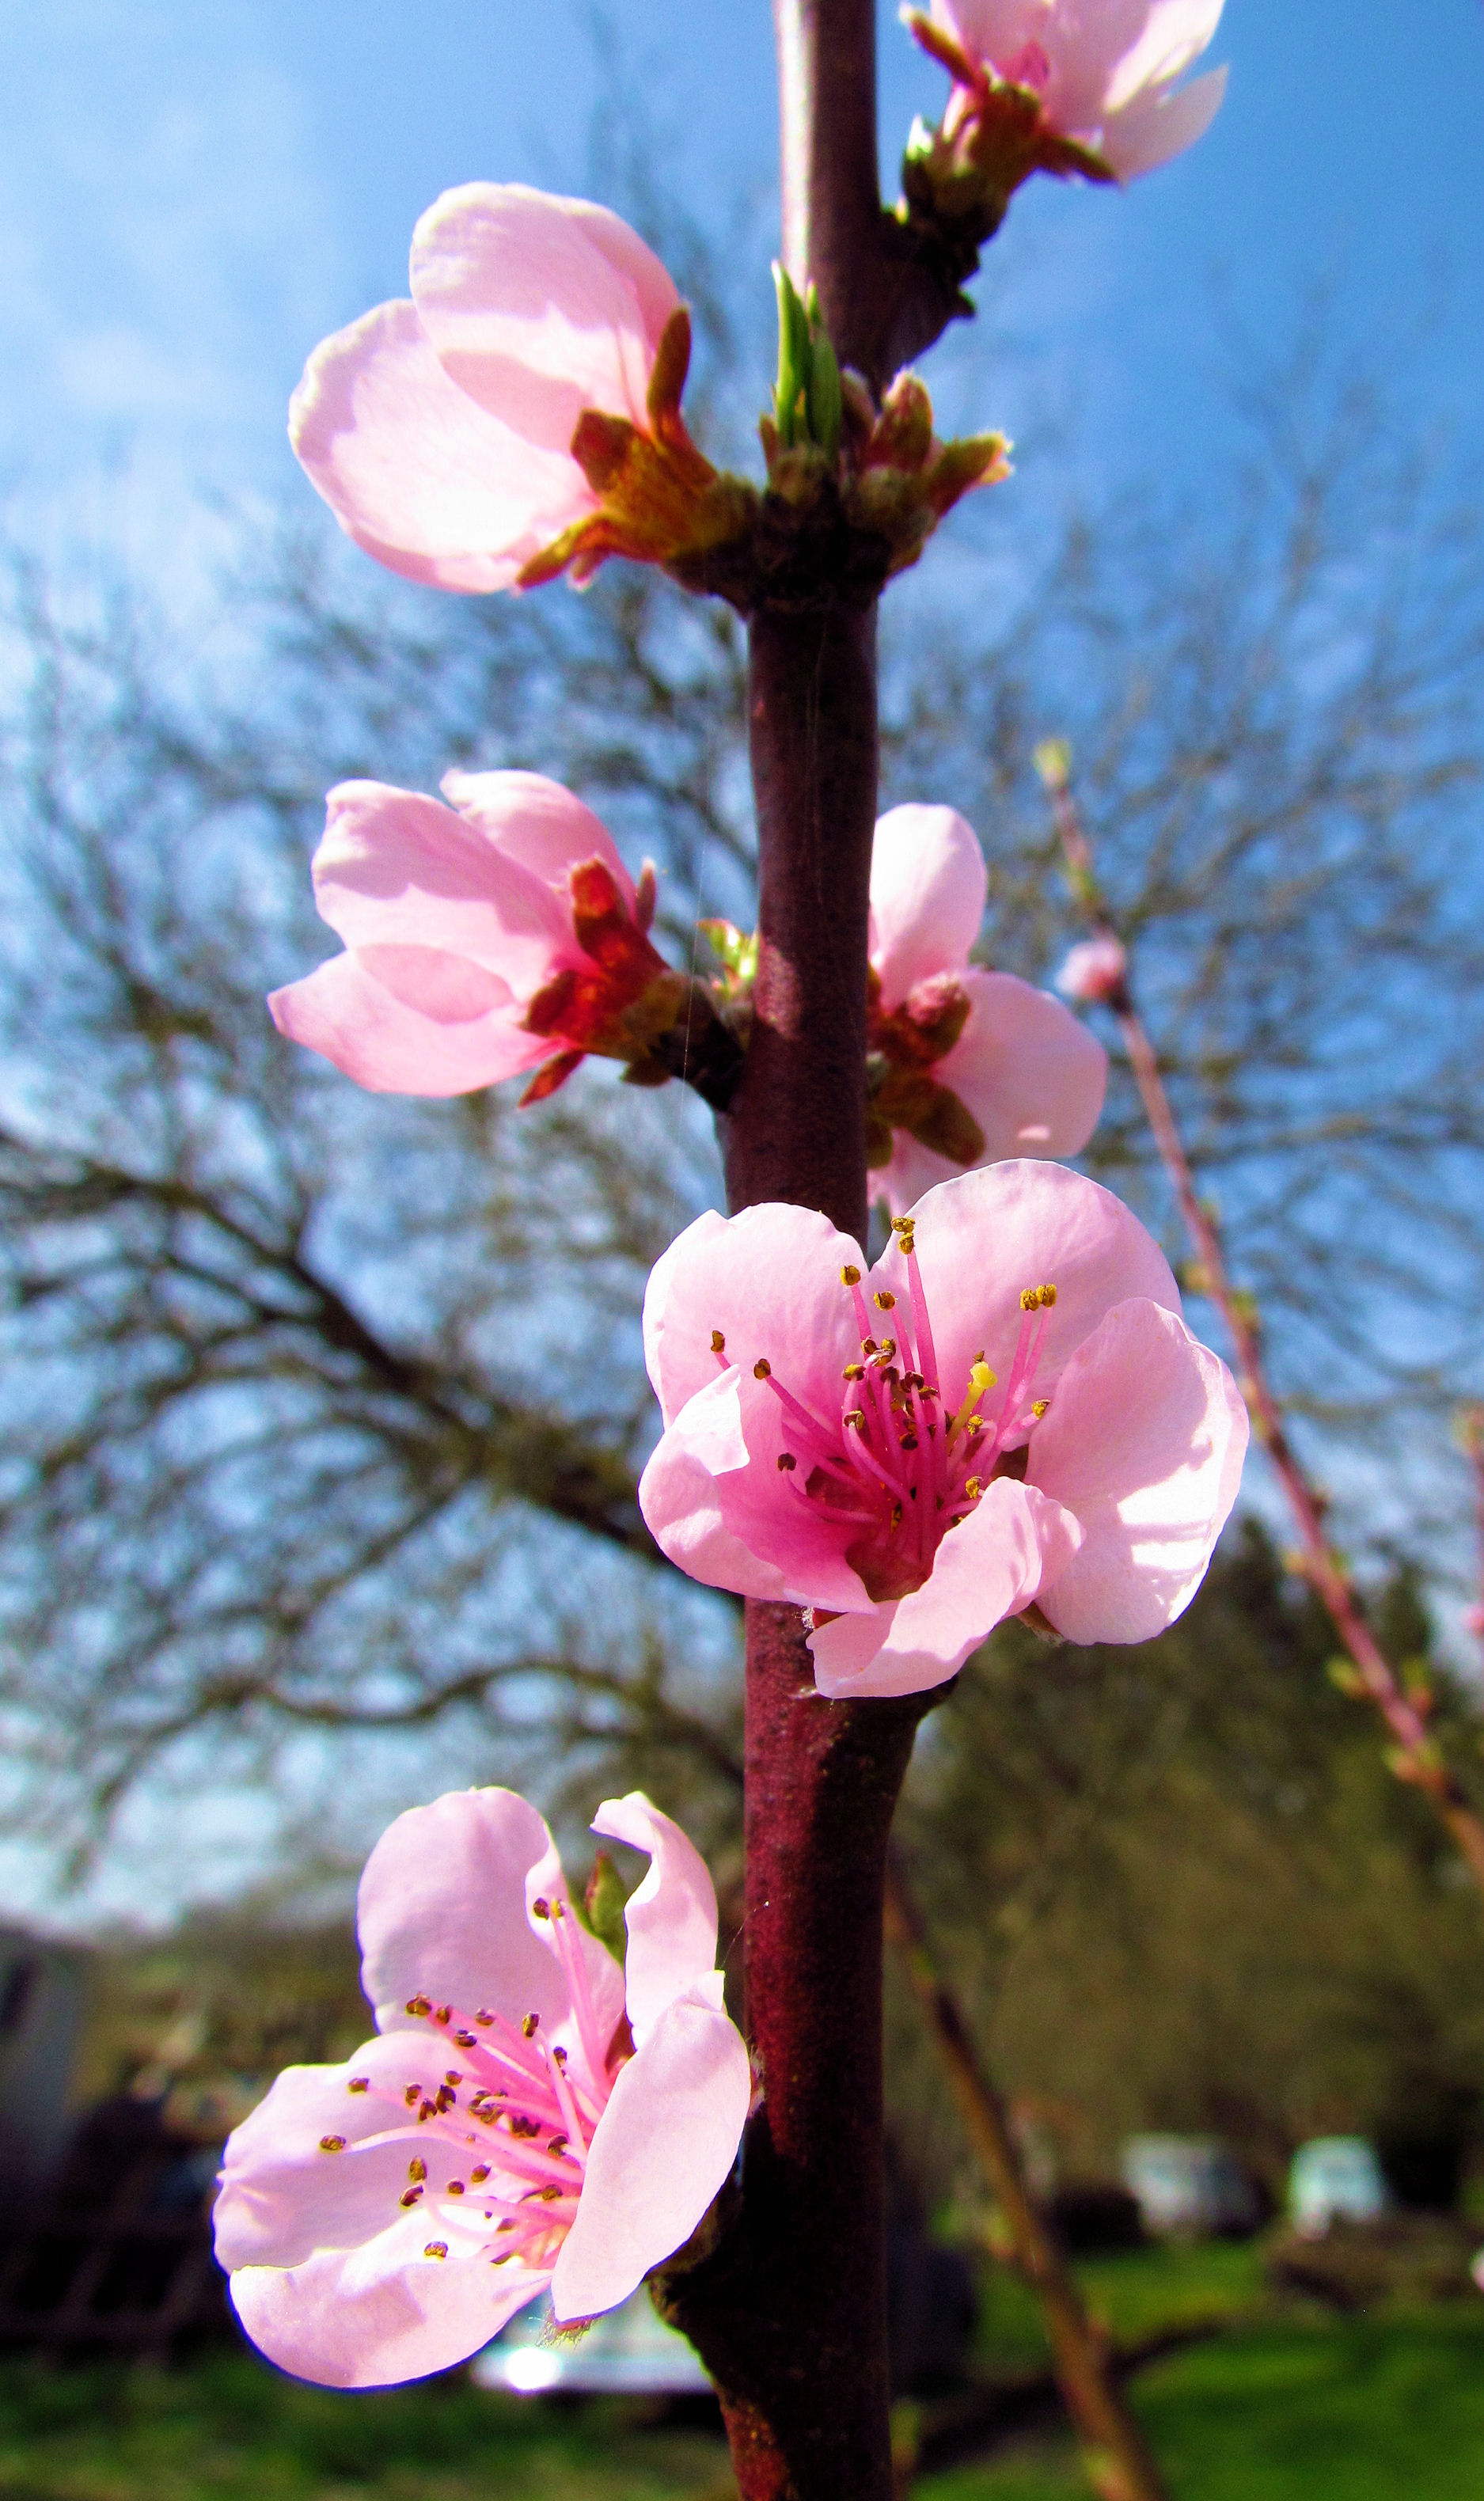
987 1237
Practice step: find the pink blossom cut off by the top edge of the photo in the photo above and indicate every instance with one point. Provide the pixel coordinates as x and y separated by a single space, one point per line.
1105 71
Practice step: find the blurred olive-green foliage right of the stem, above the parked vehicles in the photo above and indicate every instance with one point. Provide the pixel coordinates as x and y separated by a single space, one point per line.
1177 1890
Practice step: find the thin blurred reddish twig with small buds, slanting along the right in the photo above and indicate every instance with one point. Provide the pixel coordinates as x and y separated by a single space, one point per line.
1415 1754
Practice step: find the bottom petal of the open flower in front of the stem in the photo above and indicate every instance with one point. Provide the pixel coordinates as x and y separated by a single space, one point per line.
1010 1547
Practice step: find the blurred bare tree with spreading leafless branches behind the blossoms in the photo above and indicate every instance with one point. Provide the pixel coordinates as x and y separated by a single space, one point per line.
327 1409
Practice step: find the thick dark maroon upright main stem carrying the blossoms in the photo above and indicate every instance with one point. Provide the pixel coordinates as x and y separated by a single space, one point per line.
792 2307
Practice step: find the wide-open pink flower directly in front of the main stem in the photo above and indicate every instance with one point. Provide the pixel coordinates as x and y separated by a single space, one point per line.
1007 1409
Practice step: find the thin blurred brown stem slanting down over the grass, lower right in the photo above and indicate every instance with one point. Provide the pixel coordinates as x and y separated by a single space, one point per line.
1115 2450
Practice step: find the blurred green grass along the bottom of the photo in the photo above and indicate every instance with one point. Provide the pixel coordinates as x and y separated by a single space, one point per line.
1280 2407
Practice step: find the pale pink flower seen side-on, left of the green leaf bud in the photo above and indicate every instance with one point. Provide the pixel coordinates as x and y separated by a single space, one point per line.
522 411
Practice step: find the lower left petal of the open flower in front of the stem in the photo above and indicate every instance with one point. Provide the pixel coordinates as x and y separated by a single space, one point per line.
719 1507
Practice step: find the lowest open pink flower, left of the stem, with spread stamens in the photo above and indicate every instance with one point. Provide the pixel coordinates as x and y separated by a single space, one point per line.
532 2112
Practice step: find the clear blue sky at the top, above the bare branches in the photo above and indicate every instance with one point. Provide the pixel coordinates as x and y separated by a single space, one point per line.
196 191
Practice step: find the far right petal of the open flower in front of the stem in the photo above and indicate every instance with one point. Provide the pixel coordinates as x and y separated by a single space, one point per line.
1145 1444
